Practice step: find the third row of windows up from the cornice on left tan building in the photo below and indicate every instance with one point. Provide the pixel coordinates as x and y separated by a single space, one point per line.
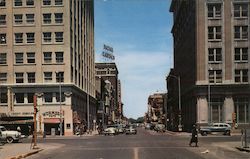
30 38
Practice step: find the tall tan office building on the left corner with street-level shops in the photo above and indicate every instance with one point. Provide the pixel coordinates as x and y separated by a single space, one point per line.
47 49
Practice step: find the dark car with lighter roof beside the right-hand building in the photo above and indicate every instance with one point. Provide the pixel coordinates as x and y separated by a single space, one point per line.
216 127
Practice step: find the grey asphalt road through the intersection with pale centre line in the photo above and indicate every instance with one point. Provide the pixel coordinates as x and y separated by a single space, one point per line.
144 145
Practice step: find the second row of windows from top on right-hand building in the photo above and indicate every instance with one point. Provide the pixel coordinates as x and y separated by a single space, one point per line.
240 32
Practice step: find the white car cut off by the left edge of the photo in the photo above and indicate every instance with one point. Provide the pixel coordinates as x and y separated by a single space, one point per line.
9 136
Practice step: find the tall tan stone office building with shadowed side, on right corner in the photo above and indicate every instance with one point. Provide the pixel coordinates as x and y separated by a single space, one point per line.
212 61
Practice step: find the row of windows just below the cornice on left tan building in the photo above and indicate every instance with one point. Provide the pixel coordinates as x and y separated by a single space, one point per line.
27 98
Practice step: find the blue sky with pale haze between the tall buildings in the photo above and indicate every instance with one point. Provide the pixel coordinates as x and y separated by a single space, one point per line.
140 33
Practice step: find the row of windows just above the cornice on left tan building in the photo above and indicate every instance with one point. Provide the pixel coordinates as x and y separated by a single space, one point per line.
31 77
